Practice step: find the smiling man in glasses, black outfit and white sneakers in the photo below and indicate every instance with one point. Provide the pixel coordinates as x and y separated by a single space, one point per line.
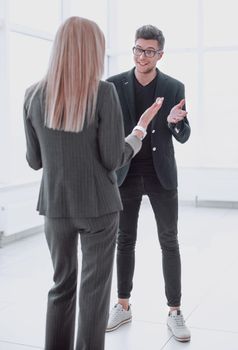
152 172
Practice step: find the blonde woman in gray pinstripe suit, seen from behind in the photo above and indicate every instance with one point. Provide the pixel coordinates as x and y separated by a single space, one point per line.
74 131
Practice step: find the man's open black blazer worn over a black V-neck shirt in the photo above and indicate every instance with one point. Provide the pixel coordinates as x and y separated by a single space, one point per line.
161 138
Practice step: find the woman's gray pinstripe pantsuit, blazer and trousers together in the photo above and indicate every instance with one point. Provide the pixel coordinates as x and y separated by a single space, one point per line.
79 195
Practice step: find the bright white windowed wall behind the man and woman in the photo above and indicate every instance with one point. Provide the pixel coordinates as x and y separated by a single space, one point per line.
201 50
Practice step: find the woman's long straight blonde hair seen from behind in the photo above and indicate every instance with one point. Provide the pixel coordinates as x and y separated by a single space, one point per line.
73 76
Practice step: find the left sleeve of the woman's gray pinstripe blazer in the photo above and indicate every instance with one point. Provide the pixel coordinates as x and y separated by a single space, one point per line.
33 152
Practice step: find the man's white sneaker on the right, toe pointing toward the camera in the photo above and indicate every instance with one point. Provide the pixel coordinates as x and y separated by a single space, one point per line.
177 326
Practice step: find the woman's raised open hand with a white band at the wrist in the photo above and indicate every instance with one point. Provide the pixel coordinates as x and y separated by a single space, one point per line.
146 118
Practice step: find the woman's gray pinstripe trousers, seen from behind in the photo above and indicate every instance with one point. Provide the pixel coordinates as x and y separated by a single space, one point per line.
97 237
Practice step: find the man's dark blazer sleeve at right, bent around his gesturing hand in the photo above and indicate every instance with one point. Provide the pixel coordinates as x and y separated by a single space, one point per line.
181 131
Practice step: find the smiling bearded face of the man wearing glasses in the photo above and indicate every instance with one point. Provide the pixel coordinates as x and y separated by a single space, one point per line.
143 63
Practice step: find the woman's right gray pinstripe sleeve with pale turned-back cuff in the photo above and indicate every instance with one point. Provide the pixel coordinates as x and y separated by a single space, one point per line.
115 150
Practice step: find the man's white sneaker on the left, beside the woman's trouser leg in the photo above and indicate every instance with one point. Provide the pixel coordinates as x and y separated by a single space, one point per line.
118 316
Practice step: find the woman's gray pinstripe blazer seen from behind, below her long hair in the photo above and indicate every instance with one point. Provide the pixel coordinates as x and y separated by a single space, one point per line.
78 177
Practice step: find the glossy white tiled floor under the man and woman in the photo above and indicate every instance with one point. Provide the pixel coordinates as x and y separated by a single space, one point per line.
209 246
